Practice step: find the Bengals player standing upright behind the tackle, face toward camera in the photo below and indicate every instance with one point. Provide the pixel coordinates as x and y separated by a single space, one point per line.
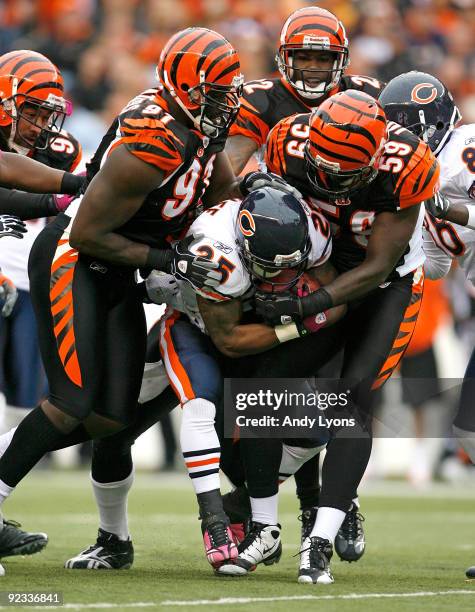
312 57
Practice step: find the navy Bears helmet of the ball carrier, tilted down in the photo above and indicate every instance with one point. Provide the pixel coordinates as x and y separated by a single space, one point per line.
272 231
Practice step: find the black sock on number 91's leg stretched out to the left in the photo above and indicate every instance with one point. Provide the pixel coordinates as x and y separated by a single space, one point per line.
34 437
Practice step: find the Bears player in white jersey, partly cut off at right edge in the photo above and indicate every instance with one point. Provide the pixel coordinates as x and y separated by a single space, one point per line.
421 103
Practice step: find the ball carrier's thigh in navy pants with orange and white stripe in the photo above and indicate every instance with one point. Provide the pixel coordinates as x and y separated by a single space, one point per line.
189 359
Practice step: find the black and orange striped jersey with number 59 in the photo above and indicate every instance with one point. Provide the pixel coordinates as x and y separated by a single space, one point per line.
408 173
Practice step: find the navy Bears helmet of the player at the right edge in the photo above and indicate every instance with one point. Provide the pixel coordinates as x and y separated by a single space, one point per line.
421 103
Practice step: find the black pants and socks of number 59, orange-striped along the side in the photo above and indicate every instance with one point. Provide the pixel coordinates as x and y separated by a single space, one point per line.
373 336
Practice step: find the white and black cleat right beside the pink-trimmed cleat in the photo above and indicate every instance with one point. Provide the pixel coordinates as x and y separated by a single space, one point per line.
261 545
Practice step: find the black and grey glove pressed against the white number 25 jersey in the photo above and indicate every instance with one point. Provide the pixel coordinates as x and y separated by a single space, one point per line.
198 271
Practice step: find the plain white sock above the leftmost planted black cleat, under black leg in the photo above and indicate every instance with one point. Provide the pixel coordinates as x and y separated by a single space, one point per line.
111 499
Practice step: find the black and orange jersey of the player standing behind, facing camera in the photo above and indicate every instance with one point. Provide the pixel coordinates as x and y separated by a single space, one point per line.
265 102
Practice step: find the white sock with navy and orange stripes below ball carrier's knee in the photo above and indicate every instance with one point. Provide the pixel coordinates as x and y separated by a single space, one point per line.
200 444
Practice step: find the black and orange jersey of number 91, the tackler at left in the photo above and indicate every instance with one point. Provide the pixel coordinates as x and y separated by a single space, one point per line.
185 156
